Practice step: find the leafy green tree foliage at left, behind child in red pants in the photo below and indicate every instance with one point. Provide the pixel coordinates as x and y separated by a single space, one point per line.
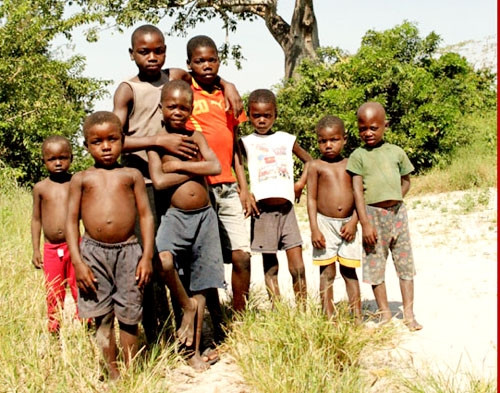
40 95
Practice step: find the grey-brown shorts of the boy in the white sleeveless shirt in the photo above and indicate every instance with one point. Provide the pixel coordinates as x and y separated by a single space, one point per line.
275 229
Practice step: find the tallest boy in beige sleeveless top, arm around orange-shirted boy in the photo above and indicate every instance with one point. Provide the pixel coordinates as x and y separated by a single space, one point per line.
136 103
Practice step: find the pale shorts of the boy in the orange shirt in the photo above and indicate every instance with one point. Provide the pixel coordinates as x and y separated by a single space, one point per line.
233 231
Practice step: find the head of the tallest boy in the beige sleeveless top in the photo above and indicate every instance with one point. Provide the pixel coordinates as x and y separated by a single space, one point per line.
148 49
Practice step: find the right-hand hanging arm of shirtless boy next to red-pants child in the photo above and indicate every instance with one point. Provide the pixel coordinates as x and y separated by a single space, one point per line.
144 267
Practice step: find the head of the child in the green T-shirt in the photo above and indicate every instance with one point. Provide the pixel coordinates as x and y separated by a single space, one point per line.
371 123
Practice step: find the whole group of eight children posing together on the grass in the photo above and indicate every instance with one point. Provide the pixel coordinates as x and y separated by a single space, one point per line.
190 189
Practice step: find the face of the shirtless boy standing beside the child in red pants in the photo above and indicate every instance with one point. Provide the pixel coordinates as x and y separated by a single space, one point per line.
104 142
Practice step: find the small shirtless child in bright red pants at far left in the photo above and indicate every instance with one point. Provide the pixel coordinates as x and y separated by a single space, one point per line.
50 197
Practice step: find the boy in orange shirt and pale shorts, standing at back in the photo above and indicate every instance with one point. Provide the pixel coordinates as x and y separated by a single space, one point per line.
229 194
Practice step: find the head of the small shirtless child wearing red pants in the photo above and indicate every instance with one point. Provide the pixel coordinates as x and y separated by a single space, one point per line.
57 154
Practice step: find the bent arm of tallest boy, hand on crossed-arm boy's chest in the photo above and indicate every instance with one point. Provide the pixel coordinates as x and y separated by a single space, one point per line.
181 145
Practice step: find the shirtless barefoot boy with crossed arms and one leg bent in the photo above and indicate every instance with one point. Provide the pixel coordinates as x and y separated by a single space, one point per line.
188 237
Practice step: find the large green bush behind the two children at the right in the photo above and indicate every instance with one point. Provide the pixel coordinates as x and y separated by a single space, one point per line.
425 96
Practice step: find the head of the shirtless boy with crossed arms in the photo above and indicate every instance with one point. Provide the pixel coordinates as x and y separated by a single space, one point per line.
176 104
